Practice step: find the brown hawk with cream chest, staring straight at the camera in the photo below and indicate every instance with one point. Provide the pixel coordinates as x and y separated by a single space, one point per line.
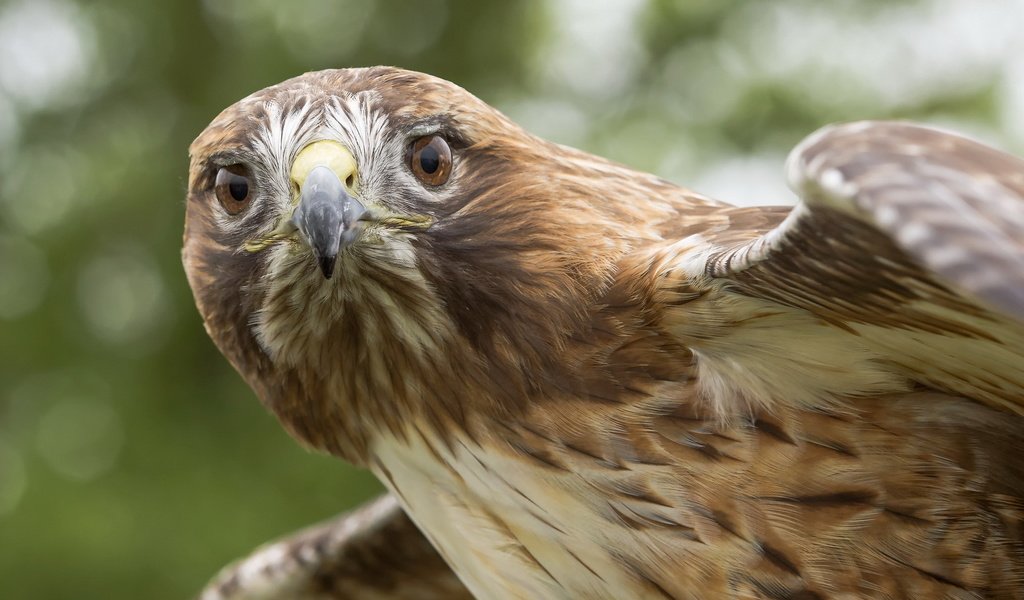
582 381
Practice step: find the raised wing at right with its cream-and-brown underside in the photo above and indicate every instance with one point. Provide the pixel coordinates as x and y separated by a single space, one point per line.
903 267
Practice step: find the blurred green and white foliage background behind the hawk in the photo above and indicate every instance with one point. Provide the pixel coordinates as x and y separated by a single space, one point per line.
134 462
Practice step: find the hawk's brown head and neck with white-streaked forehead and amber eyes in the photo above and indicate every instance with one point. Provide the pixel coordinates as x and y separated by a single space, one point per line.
376 236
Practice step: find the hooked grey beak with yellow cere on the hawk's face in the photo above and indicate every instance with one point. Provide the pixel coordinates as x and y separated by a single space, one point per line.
327 215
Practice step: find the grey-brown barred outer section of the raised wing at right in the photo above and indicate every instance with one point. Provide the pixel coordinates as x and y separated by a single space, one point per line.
951 203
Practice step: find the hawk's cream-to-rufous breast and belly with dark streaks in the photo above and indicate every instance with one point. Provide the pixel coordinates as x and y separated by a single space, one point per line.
770 504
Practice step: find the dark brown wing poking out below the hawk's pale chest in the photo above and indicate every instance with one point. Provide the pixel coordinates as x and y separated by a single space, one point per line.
374 553
